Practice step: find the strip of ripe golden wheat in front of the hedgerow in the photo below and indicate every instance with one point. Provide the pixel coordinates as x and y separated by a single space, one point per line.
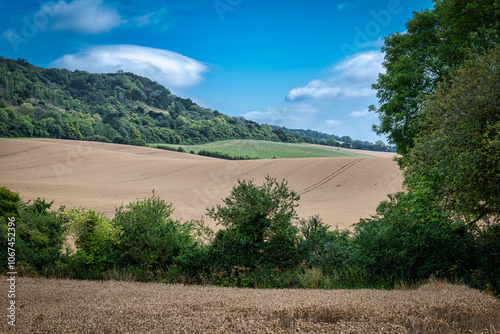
65 306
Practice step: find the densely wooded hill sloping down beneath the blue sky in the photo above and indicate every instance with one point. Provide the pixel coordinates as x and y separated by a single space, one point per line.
122 108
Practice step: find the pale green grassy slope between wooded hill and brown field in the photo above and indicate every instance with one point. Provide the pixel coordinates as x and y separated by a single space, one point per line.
267 149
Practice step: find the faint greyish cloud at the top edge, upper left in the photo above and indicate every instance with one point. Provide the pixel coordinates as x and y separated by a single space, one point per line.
82 16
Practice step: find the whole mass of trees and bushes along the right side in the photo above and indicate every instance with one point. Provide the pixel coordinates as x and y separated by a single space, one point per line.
440 105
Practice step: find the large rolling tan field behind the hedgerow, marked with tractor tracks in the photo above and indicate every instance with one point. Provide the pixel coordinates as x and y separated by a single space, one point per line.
102 176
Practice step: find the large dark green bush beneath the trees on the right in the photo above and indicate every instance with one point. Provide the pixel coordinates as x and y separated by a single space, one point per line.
411 238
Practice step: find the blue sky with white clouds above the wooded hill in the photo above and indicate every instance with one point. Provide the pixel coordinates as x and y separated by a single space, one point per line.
296 63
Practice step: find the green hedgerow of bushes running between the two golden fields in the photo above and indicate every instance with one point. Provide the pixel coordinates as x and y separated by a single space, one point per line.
261 244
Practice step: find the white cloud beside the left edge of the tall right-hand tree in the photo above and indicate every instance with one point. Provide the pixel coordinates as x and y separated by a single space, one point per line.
351 78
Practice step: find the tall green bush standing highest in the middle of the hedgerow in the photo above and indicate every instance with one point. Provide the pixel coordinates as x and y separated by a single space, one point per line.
259 228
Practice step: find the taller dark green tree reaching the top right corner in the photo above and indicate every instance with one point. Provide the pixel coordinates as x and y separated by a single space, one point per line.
436 42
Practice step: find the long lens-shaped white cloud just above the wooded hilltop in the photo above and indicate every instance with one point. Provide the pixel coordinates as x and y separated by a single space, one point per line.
165 67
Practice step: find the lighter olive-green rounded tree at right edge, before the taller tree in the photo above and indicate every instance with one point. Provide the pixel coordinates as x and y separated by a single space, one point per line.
457 153
